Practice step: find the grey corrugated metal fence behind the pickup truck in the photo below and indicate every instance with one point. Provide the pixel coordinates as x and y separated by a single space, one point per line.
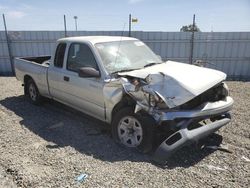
226 51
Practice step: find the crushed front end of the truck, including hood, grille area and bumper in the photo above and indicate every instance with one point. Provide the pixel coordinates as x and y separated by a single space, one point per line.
191 112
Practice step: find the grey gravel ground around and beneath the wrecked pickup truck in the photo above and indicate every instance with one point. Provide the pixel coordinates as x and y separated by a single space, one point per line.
51 145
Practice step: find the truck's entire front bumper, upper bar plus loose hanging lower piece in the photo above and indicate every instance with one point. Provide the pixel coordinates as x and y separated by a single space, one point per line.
184 136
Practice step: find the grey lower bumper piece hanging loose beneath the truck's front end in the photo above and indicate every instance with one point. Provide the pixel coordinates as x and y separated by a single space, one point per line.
185 136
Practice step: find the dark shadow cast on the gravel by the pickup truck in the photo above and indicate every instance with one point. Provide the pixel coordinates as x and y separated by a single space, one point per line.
62 126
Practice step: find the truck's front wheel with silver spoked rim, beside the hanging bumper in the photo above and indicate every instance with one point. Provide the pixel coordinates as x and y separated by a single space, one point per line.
133 130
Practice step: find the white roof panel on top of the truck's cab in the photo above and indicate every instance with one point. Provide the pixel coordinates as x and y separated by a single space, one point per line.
96 39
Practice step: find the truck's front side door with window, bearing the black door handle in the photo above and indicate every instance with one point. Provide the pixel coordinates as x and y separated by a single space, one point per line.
85 94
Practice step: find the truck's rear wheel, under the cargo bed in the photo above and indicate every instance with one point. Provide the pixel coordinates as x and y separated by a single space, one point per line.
33 93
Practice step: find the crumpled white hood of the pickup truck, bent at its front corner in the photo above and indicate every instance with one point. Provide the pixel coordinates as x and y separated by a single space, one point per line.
177 83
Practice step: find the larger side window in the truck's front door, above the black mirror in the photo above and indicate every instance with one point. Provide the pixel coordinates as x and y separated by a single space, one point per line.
80 55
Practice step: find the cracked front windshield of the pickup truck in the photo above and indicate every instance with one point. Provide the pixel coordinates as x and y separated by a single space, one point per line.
125 55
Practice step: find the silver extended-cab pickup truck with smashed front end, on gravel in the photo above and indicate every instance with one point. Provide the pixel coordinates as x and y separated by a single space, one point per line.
119 80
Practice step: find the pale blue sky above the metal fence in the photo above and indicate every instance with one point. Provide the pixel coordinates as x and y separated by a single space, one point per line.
152 15
